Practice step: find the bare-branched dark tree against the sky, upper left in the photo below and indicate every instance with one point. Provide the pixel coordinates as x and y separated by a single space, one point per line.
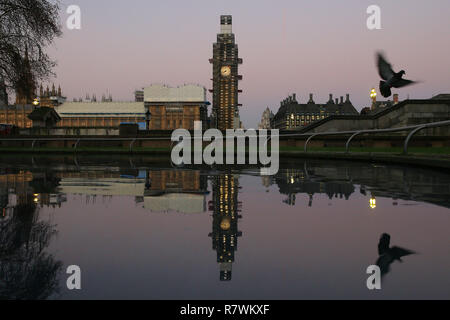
26 28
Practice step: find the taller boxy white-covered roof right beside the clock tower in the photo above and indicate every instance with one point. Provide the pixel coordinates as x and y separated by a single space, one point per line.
186 93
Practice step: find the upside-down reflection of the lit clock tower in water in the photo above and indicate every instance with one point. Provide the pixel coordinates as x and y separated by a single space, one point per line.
225 233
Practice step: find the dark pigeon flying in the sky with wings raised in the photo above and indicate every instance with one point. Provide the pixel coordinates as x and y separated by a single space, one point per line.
392 79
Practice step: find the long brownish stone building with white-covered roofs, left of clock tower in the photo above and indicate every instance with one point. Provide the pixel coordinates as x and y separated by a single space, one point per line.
171 108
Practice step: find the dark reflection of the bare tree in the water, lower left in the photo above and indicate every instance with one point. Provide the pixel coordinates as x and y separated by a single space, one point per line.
26 271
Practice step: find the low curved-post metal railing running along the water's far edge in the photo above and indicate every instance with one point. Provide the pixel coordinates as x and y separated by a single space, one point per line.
413 130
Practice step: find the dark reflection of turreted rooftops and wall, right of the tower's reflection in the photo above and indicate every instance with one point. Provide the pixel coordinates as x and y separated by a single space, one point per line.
339 179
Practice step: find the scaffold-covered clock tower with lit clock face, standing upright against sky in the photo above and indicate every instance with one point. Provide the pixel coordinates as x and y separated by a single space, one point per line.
225 79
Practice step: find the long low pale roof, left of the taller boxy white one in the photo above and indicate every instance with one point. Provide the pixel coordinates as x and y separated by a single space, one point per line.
101 109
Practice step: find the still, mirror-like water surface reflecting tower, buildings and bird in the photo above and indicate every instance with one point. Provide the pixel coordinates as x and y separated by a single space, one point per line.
140 229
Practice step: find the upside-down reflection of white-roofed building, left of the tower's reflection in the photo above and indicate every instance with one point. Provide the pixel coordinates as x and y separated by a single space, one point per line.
164 190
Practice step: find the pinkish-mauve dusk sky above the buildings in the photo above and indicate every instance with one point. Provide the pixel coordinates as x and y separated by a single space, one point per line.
293 46
